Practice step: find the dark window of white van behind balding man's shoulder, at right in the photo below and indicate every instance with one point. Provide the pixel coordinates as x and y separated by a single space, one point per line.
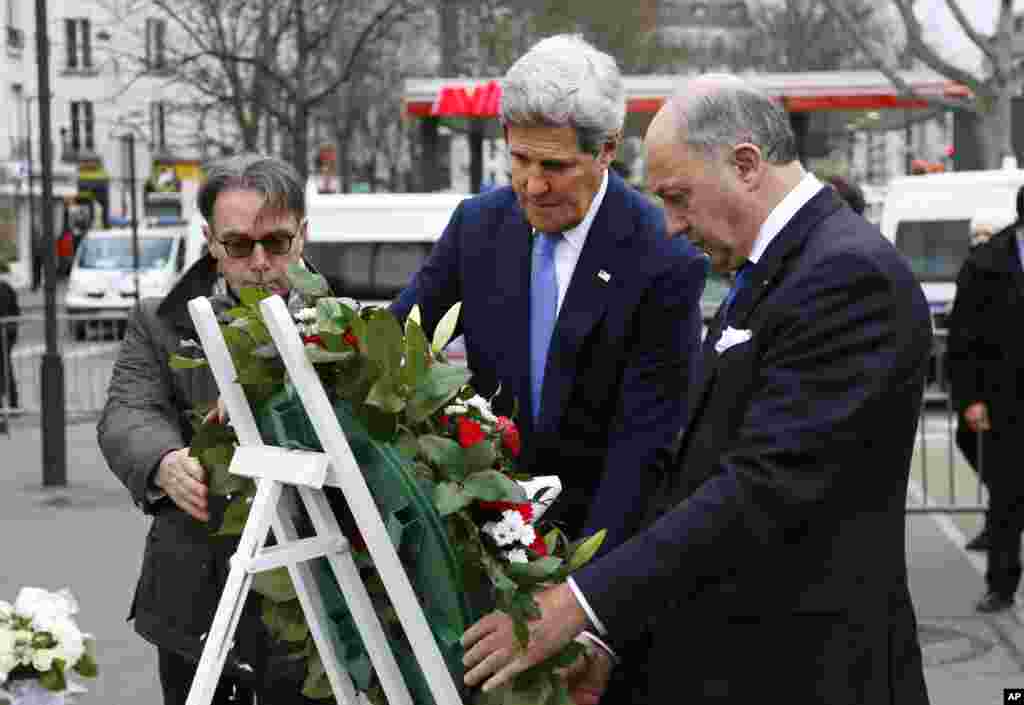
936 250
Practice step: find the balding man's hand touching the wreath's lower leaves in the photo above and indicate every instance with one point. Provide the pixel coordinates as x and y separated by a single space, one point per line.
493 650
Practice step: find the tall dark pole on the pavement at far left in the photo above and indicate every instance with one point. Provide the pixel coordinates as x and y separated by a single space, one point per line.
55 428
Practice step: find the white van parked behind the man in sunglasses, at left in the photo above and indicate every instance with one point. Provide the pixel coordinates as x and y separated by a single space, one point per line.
103 275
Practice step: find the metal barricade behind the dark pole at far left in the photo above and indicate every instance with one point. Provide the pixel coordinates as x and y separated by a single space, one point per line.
89 346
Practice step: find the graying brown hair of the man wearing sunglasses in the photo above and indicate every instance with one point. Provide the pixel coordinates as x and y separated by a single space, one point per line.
278 182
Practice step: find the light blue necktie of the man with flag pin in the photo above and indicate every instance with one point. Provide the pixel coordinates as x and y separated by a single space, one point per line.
543 311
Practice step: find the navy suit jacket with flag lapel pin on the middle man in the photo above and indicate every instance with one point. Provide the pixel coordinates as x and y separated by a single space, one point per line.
616 386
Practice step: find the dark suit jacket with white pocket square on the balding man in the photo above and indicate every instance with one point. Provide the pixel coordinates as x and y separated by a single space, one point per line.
778 571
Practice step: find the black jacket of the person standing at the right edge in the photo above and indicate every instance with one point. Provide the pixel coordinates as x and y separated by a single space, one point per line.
987 350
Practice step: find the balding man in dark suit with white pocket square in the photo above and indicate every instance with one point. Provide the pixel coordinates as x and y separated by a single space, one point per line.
774 568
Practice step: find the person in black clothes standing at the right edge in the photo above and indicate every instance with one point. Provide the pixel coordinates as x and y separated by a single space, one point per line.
987 362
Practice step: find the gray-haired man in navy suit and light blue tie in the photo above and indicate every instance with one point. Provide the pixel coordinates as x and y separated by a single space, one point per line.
595 357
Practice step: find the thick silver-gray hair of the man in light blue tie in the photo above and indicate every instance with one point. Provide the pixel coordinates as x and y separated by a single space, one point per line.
564 81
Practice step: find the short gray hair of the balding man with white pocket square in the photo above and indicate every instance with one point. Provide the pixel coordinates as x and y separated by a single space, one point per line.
733 112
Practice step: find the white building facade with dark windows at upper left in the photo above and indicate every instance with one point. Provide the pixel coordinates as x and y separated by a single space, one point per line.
107 95
